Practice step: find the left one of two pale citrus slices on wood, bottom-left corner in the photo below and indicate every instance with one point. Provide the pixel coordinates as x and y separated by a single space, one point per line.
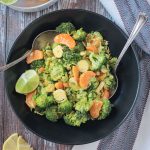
11 142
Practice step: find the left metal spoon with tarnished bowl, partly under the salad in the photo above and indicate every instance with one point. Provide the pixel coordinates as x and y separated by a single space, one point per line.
39 42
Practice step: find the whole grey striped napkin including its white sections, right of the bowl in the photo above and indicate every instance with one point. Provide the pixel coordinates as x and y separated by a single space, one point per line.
134 133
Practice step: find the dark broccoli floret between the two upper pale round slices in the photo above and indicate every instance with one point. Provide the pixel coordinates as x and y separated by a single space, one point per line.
70 58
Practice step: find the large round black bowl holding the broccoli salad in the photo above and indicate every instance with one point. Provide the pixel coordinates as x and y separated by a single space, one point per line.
123 101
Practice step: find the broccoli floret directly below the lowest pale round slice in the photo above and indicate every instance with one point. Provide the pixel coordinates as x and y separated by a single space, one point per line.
65 107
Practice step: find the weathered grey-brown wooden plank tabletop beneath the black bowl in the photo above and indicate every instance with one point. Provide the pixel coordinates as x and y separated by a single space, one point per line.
11 25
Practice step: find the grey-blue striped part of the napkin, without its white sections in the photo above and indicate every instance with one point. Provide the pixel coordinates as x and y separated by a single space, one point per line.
124 137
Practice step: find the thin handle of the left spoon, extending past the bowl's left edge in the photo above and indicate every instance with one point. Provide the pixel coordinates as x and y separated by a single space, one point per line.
5 67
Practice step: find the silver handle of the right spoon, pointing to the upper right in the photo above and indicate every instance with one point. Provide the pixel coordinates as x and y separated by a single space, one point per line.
141 20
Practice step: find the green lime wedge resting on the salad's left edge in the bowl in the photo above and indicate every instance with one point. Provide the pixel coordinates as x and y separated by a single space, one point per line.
27 82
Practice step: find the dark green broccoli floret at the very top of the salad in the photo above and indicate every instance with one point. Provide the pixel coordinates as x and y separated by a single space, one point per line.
65 27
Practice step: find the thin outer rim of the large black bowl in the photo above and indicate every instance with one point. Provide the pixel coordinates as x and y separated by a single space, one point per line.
139 76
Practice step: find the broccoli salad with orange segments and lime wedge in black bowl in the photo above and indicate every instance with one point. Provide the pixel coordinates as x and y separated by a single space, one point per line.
70 78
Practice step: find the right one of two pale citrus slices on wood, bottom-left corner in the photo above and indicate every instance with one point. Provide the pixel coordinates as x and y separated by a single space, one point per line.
22 144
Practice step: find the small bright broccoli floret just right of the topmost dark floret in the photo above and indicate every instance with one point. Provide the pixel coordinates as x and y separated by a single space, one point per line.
79 35
